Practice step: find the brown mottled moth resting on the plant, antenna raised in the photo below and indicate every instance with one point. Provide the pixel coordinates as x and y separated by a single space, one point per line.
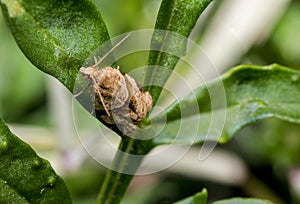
118 100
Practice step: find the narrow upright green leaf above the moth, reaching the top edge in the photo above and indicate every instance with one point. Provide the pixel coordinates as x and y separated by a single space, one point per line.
175 21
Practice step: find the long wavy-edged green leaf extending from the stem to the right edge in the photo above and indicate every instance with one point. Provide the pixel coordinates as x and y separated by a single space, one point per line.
252 93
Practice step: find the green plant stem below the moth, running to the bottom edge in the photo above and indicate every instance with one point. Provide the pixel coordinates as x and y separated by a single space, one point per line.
116 182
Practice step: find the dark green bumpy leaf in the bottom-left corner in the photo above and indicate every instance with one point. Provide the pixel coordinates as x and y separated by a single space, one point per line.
25 177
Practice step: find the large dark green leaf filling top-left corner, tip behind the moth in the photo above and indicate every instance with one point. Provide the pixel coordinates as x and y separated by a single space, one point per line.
56 36
